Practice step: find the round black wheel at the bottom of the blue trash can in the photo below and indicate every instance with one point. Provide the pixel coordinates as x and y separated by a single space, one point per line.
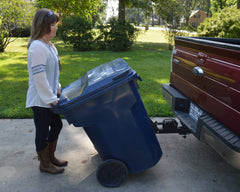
112 173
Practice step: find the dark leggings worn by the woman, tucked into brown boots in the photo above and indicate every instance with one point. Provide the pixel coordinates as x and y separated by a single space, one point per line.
48 126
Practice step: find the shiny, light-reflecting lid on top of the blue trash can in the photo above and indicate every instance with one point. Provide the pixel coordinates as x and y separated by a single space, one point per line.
97 79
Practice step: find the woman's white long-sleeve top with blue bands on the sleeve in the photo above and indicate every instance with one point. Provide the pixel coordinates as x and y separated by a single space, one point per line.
43 72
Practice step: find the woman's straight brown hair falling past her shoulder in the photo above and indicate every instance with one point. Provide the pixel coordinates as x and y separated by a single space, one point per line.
41 24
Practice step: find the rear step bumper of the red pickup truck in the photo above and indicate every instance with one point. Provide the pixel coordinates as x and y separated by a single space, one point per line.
206 128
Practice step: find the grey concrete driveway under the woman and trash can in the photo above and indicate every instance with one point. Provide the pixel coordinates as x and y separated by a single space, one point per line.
186 165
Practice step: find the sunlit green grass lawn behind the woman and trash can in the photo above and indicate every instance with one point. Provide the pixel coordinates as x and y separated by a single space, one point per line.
149 56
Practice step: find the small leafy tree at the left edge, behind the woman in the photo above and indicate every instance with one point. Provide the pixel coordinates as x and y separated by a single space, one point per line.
13 14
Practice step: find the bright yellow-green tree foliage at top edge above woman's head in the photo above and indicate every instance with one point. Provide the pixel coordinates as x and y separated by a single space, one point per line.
84 8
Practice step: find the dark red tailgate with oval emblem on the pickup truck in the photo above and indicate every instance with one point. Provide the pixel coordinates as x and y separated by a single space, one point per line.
209 74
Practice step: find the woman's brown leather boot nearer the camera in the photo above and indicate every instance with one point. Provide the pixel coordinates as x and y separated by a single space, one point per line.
45 163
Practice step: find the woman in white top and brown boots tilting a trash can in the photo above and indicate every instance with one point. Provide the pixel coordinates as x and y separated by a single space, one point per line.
43 68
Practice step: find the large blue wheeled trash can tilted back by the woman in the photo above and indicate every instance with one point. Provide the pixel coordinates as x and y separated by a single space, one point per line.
106 103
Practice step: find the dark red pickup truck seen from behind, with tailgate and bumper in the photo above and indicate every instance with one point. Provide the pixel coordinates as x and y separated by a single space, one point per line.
204 92
